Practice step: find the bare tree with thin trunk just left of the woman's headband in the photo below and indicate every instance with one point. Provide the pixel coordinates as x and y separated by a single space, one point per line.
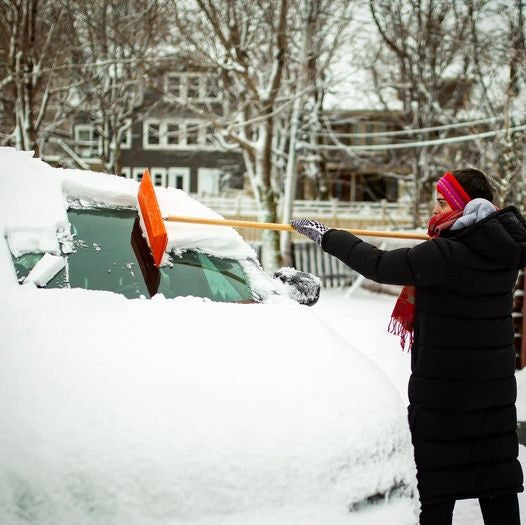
422 60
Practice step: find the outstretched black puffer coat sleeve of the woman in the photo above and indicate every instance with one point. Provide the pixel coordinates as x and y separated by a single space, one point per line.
426 264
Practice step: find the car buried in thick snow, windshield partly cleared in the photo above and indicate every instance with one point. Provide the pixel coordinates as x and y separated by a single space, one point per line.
218 400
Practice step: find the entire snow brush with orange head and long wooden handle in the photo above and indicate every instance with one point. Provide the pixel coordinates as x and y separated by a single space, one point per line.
152 222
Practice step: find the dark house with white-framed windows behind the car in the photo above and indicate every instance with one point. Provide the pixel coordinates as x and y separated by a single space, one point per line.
177 145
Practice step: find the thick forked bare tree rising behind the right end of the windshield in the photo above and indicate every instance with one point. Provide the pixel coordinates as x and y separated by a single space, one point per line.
247 44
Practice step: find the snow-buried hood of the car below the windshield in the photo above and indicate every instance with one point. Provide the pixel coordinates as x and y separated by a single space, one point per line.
161 411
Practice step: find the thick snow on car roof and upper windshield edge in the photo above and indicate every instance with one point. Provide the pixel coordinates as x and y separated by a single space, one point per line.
34 199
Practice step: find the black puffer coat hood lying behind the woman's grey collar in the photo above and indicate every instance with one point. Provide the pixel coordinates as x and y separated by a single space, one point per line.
499 237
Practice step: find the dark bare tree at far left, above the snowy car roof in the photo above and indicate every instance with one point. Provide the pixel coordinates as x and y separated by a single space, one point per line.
35 59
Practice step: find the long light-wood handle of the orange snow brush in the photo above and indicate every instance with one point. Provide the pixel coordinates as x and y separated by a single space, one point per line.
287 227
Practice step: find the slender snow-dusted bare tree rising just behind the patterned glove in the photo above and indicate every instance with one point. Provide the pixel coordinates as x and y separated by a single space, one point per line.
324 32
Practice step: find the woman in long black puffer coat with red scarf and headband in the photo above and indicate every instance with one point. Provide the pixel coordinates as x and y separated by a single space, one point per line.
455 314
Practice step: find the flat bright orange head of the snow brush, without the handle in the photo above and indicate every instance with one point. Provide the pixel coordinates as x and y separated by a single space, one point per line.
151 219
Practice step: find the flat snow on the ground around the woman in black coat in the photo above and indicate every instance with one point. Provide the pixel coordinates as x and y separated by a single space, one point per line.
363 318
